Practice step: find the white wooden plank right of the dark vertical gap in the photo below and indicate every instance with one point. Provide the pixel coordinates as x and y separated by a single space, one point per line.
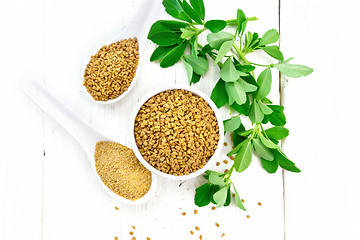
322 201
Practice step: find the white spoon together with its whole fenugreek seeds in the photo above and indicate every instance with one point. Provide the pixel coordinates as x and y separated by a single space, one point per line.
112 71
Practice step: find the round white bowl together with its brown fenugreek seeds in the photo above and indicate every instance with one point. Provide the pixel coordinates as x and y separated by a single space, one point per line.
177 133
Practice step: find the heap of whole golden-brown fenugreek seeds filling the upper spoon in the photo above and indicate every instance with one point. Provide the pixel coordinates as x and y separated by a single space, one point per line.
111 70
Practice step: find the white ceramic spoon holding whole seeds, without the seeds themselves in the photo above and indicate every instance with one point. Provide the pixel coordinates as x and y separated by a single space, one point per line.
139 27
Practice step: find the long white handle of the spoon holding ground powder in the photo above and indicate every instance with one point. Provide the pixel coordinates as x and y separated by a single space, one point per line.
81 130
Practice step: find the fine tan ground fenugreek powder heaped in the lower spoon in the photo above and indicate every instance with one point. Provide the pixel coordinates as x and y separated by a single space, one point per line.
121 171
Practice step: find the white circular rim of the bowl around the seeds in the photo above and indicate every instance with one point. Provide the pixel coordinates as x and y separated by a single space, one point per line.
212 159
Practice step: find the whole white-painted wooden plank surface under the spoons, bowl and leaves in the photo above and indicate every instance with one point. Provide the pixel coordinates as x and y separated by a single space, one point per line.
48 190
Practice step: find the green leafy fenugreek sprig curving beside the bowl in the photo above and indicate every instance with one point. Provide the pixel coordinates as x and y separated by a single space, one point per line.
238 87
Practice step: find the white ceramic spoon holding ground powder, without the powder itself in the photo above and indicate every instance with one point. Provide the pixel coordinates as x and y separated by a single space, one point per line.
81 130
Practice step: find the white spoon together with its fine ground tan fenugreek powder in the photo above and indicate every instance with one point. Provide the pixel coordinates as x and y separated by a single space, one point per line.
121 173
